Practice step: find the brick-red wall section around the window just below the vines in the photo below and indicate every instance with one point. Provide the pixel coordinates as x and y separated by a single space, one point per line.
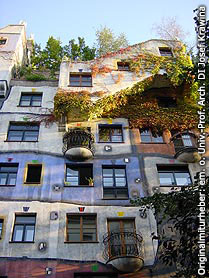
164 148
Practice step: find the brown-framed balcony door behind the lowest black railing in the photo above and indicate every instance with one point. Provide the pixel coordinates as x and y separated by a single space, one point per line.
122 237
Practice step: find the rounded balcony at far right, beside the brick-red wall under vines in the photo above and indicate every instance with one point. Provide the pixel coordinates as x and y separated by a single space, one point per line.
185 147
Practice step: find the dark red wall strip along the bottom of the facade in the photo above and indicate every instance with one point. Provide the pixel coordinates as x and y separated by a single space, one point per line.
29 268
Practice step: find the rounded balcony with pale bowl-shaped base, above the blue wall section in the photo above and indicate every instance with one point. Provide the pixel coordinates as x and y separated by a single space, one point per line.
78 144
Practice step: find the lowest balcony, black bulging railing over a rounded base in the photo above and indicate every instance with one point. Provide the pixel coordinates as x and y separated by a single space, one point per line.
123 250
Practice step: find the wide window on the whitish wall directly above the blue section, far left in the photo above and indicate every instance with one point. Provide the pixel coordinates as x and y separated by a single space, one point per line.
23 132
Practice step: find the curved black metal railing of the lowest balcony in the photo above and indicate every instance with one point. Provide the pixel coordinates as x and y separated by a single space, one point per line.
122 244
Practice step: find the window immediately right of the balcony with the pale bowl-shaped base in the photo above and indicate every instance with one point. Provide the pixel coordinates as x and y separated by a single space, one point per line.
110 133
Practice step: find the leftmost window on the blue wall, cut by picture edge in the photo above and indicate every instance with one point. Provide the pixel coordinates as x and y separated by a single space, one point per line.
8 174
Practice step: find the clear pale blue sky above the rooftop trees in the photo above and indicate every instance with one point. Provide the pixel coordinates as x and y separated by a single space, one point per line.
68 19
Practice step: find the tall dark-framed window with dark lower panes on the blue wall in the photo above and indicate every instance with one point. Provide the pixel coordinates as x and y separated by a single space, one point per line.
114 182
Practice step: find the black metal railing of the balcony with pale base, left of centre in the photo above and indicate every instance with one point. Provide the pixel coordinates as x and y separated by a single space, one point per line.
78 138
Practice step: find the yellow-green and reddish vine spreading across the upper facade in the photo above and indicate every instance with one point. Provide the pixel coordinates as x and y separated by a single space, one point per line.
135 103
